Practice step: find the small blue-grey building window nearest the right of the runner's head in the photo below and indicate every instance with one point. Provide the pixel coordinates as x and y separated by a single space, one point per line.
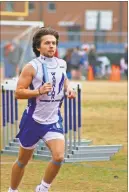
74 33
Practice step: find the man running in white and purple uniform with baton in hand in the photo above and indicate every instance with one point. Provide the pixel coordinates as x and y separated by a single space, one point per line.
41 119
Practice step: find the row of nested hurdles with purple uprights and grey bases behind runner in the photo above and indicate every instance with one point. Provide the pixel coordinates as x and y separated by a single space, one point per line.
76 148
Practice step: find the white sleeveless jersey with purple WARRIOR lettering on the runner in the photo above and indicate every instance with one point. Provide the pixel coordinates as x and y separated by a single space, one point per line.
45 108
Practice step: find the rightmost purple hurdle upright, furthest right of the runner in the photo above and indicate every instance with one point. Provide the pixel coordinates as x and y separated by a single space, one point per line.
79 114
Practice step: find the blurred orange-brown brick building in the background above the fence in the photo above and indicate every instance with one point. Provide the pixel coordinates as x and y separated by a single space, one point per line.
75 21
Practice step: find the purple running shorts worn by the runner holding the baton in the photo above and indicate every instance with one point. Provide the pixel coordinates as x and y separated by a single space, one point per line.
31 131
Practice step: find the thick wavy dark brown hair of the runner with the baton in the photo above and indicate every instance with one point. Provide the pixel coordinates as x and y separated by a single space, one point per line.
39 34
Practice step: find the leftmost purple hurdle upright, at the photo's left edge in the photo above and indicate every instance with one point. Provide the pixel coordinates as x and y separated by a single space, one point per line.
4 117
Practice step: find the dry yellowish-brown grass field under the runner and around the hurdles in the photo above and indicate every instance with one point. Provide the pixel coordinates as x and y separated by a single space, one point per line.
104 117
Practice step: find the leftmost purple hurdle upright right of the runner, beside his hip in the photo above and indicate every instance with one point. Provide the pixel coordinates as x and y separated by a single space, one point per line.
66 124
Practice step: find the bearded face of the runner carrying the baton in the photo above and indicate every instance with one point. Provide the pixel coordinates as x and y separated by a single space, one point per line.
48 46
